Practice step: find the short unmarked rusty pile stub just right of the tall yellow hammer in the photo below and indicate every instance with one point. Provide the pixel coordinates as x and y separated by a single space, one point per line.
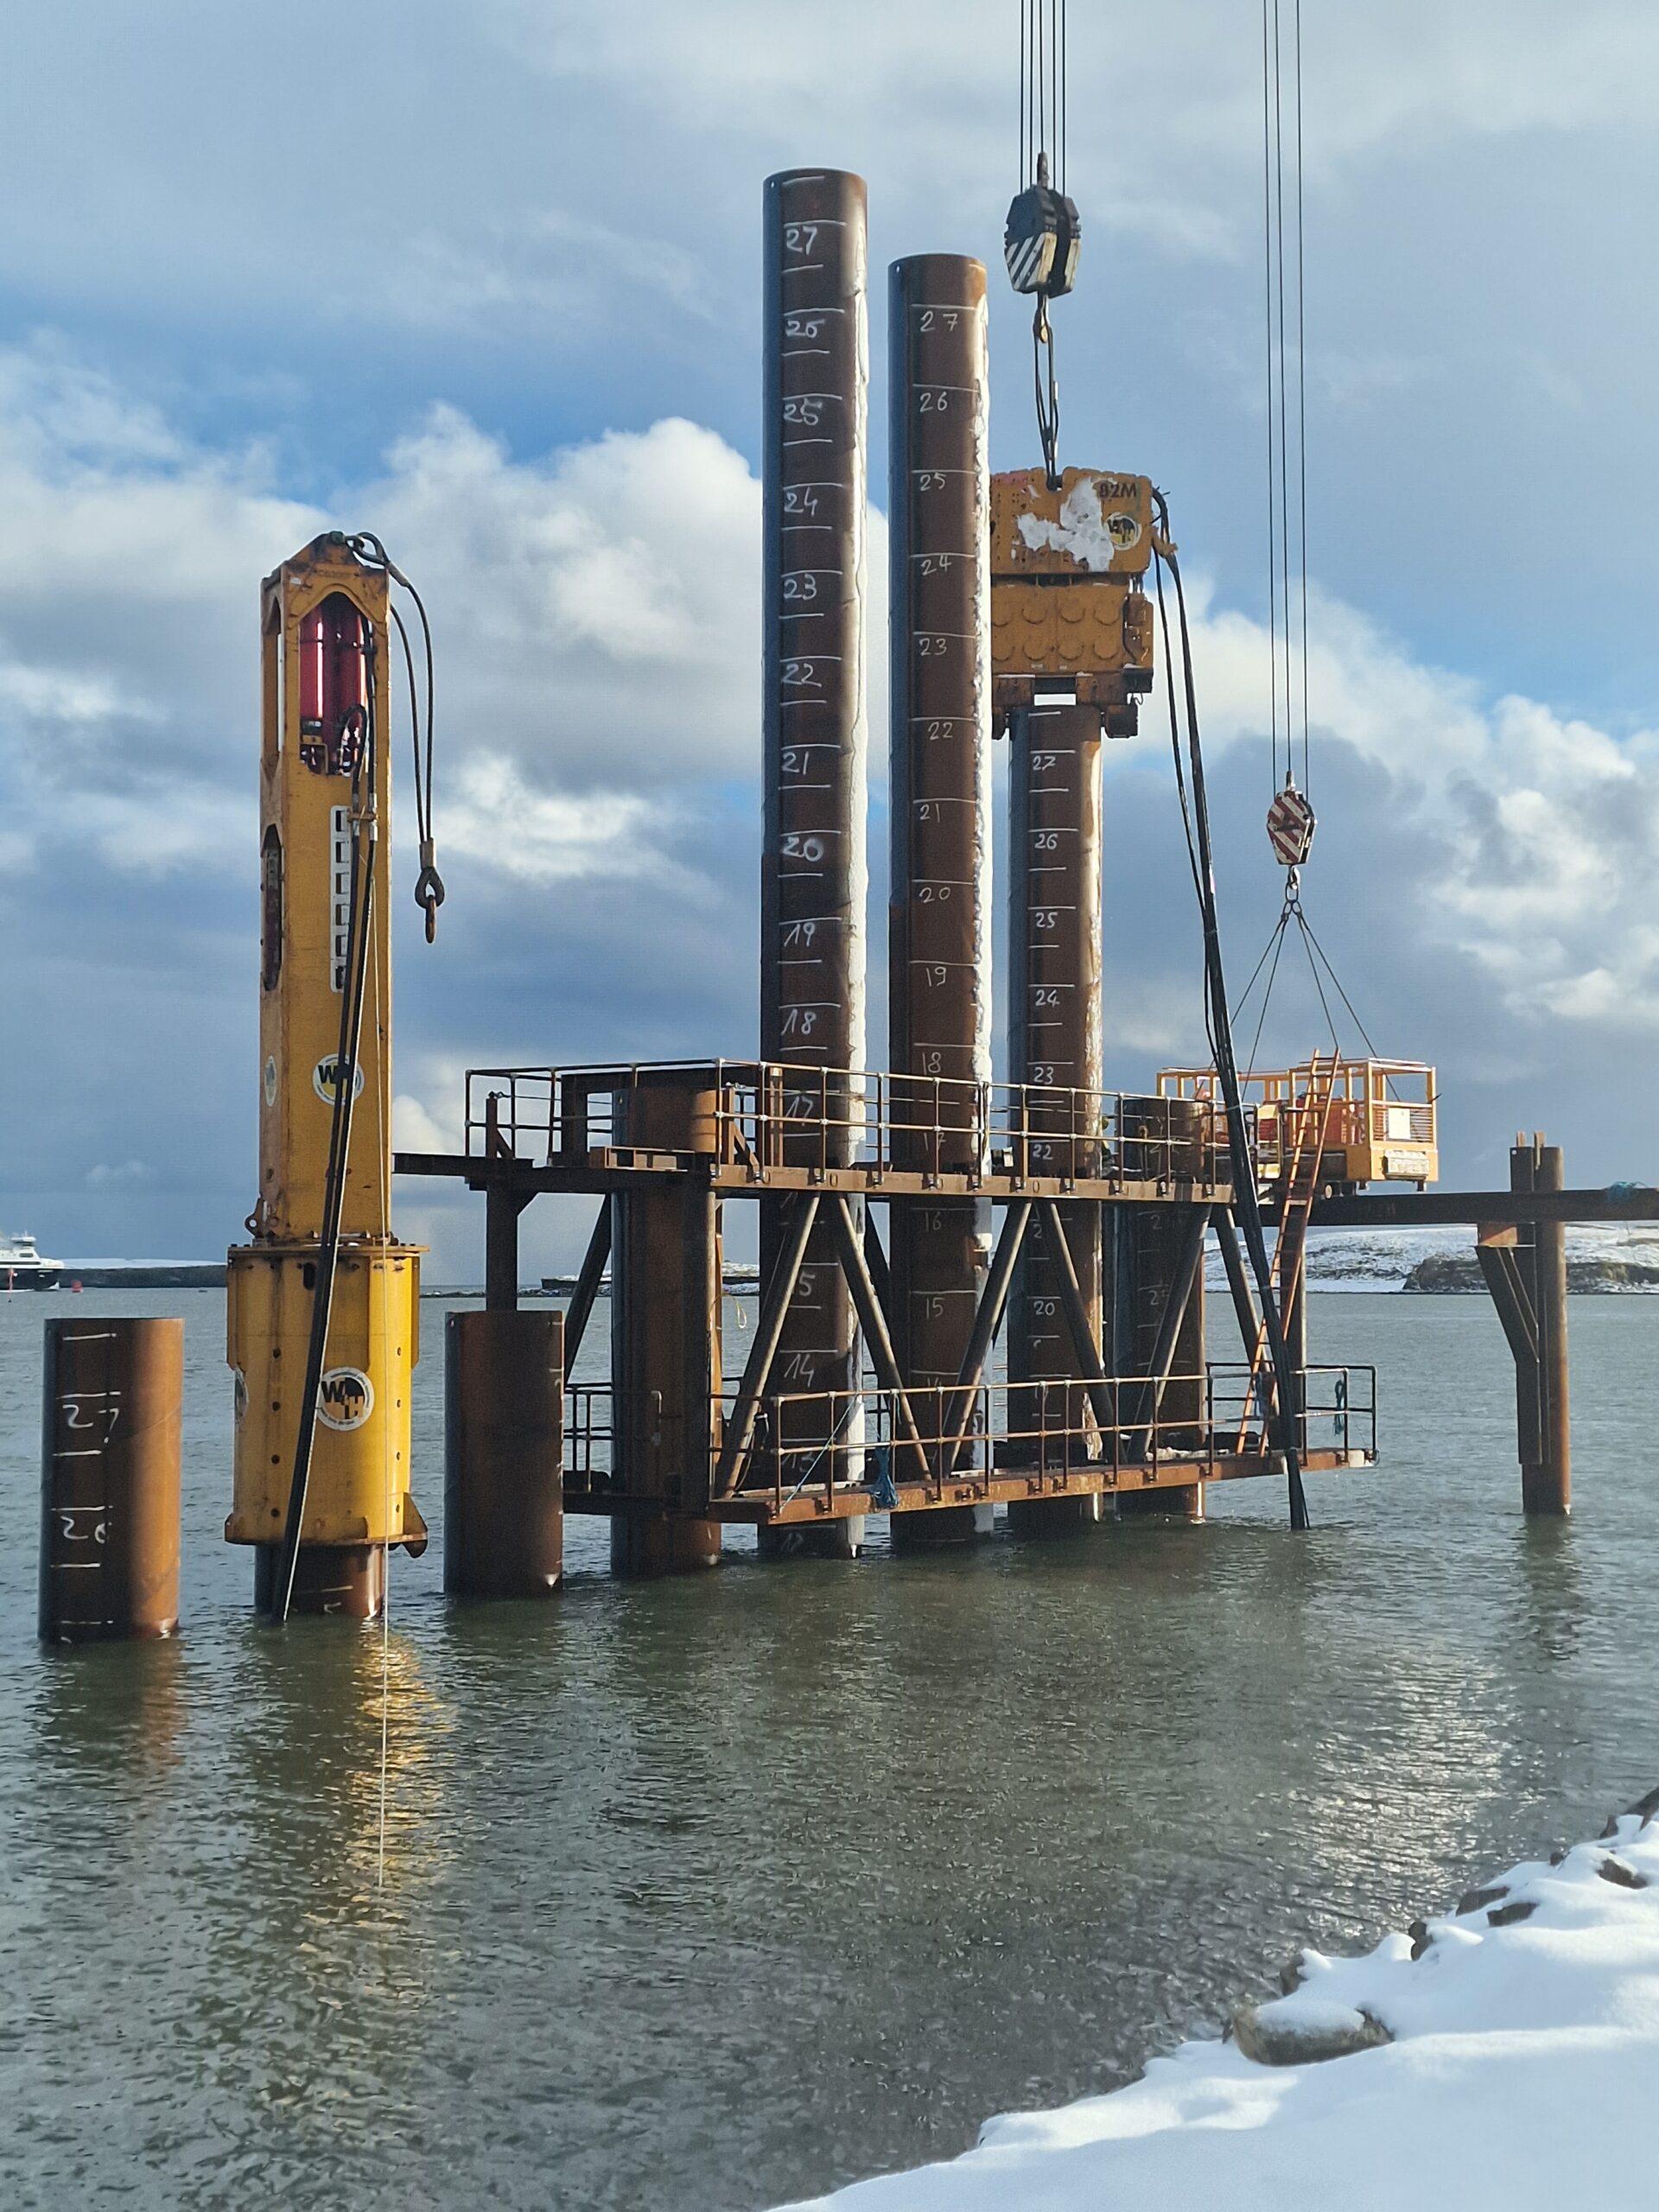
503 1454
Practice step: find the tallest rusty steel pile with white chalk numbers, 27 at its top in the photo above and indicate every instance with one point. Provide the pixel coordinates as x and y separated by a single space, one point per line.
815 749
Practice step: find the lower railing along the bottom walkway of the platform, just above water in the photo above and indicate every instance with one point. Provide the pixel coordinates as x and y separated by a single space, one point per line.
954 1448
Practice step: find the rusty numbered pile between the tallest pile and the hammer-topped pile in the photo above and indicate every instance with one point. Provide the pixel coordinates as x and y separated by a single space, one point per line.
939 935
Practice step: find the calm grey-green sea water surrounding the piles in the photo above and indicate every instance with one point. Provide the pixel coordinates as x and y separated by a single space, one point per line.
709 1895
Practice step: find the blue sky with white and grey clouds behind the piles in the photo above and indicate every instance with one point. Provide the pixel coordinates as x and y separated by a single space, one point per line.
488 282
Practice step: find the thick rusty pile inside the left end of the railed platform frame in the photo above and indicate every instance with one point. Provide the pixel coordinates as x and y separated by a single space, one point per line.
665 1346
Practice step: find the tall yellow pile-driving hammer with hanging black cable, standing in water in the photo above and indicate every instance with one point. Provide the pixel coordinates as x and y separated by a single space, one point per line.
324 1300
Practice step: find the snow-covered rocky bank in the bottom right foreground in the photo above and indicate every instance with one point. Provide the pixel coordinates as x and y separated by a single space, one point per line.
1503 2056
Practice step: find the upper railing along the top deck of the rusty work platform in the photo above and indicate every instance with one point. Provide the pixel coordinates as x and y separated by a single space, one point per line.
764 1116
